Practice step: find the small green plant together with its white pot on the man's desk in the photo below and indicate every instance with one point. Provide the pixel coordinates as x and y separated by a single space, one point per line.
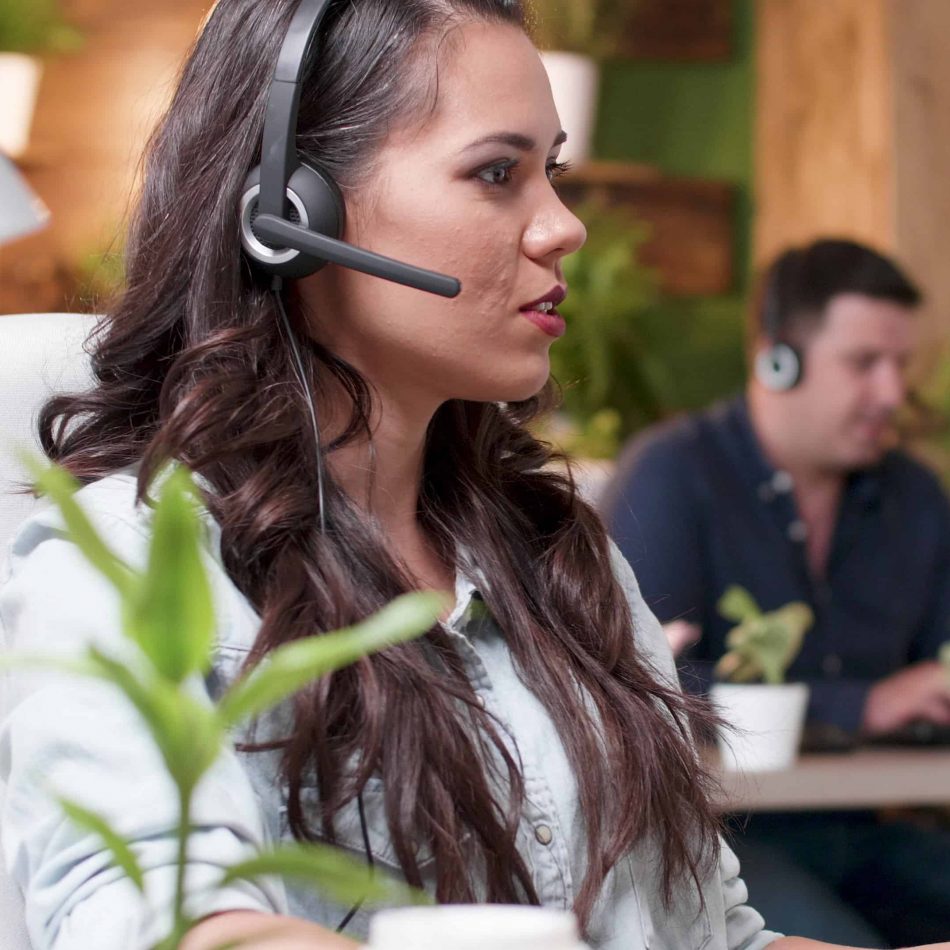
764 714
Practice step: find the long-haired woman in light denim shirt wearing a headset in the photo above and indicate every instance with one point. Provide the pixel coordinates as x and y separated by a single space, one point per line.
359 431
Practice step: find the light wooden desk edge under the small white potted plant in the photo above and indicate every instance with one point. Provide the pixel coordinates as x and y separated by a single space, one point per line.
866 778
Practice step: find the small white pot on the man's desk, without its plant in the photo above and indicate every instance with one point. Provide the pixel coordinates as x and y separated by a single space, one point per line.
767 724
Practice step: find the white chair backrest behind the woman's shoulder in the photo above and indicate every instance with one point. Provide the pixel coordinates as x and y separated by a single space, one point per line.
40 354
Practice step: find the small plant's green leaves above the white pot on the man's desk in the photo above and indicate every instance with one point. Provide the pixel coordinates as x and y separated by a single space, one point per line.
762 646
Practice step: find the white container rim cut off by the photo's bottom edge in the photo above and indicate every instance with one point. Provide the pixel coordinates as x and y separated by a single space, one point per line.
474 927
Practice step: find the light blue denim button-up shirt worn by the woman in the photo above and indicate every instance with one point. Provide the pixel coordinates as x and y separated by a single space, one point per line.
82 740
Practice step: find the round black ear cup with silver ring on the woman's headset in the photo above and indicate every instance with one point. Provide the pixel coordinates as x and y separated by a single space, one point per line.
314 201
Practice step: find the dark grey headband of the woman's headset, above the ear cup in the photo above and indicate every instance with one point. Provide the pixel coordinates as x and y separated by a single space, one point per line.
279 147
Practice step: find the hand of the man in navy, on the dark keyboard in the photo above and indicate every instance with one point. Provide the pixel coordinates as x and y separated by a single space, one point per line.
921 691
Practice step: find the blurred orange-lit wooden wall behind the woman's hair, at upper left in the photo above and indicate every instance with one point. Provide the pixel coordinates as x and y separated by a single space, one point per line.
95 110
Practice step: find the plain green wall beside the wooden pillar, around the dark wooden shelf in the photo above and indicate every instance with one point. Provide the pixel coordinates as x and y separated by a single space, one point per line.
692 119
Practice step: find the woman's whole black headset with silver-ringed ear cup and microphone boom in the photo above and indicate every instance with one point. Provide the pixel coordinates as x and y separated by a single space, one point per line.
292 212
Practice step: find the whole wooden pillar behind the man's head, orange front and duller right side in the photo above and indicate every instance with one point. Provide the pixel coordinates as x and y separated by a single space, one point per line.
853 132
